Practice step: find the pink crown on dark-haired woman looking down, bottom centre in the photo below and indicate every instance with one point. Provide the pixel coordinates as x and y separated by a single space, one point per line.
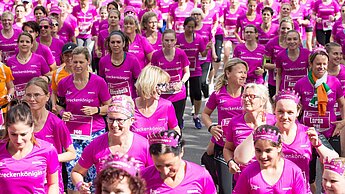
158 138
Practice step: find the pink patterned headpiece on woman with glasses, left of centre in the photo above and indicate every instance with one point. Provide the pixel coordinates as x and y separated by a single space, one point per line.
122 104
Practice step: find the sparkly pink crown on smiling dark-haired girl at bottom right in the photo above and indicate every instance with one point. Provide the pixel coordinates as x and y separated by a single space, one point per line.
266 132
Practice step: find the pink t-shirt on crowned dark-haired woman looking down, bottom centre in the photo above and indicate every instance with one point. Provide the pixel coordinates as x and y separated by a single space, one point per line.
196 180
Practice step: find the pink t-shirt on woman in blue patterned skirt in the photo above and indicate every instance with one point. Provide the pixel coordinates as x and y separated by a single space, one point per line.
93 94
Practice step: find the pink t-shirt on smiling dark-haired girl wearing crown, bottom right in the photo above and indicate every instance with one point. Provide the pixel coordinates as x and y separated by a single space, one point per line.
251 181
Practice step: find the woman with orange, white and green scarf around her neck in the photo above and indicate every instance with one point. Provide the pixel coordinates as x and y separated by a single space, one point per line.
319 92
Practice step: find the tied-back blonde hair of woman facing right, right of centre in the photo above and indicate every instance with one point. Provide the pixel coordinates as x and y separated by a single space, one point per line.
222 80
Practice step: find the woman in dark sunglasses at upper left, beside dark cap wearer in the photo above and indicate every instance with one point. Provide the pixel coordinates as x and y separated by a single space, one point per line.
46 38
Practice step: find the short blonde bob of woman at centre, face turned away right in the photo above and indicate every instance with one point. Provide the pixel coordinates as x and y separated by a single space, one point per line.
148 79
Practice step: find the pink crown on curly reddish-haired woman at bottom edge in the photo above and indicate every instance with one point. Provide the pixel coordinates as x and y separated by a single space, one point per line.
124 162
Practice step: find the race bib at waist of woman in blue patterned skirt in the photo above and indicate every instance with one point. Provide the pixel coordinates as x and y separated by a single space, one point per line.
80 127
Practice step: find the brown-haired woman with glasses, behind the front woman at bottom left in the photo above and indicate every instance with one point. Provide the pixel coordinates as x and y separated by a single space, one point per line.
48 126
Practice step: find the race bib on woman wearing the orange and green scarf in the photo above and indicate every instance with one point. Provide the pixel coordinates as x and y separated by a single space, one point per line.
320 123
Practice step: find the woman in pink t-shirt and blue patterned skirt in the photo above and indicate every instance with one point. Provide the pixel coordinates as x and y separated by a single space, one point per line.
83 95
